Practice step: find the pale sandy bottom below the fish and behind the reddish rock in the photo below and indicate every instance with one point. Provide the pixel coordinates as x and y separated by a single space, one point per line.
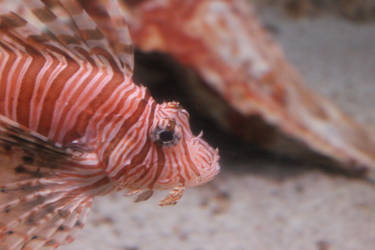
257 203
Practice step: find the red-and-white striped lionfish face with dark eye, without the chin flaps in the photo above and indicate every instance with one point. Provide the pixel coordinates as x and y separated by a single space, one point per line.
184 159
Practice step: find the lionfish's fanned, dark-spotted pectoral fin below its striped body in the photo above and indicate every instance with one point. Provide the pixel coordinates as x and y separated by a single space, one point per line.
45 191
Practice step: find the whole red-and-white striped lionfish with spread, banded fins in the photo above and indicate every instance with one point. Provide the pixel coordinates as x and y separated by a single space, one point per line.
73 125
